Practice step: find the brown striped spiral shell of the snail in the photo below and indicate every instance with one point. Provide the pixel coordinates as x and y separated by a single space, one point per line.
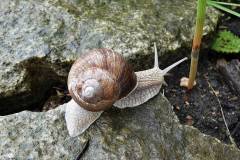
99 78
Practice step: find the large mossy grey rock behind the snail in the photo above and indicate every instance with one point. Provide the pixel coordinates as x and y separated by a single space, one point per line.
39 39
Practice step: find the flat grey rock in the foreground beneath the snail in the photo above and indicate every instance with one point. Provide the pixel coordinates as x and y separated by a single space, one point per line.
150 131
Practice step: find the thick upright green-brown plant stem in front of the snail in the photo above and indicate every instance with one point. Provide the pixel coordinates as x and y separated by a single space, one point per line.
201 10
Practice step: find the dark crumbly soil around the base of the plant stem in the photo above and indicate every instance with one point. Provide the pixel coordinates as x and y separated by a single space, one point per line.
200 106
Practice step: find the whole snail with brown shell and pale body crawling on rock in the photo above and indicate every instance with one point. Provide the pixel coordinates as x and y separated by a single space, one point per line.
101 78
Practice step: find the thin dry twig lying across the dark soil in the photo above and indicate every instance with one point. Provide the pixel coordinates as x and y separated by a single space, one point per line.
224 119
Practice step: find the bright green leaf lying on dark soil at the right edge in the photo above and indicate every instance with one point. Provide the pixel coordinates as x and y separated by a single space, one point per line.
226 42
